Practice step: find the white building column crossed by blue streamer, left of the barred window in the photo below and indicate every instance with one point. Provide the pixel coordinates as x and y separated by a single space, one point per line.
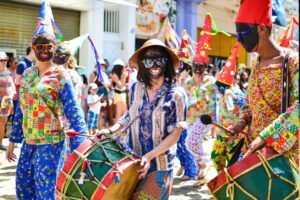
91 22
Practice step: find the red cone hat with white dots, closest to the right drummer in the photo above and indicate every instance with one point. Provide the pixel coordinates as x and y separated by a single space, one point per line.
227 74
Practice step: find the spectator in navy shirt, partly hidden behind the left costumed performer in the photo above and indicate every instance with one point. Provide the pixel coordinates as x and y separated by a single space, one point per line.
24 64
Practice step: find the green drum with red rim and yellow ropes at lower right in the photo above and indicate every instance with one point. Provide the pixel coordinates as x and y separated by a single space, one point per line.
264 175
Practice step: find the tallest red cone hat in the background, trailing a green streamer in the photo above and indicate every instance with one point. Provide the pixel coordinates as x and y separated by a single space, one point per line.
204 42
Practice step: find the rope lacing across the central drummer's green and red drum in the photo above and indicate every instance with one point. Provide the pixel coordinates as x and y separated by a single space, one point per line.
93 179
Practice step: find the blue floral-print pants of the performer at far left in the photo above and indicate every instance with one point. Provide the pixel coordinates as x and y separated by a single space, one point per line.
37 171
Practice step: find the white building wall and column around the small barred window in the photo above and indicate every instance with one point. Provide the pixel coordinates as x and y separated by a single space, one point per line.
91 21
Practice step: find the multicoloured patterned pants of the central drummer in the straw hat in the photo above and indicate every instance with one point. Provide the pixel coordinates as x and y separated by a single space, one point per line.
155 186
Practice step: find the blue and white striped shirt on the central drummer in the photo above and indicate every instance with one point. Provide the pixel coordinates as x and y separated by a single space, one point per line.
157 122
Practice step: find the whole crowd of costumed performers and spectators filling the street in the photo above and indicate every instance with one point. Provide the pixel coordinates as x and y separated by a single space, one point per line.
159 98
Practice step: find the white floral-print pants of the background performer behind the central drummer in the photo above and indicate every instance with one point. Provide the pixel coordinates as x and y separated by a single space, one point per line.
194 141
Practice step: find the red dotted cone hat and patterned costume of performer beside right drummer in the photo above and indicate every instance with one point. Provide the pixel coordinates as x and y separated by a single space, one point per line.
229 110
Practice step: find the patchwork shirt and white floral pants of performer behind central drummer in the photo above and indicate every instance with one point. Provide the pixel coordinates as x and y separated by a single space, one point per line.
202 100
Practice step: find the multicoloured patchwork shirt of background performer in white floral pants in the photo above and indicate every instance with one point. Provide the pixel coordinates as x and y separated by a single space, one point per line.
202 99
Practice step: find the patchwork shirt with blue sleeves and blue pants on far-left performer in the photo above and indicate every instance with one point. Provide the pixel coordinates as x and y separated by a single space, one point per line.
38 122
